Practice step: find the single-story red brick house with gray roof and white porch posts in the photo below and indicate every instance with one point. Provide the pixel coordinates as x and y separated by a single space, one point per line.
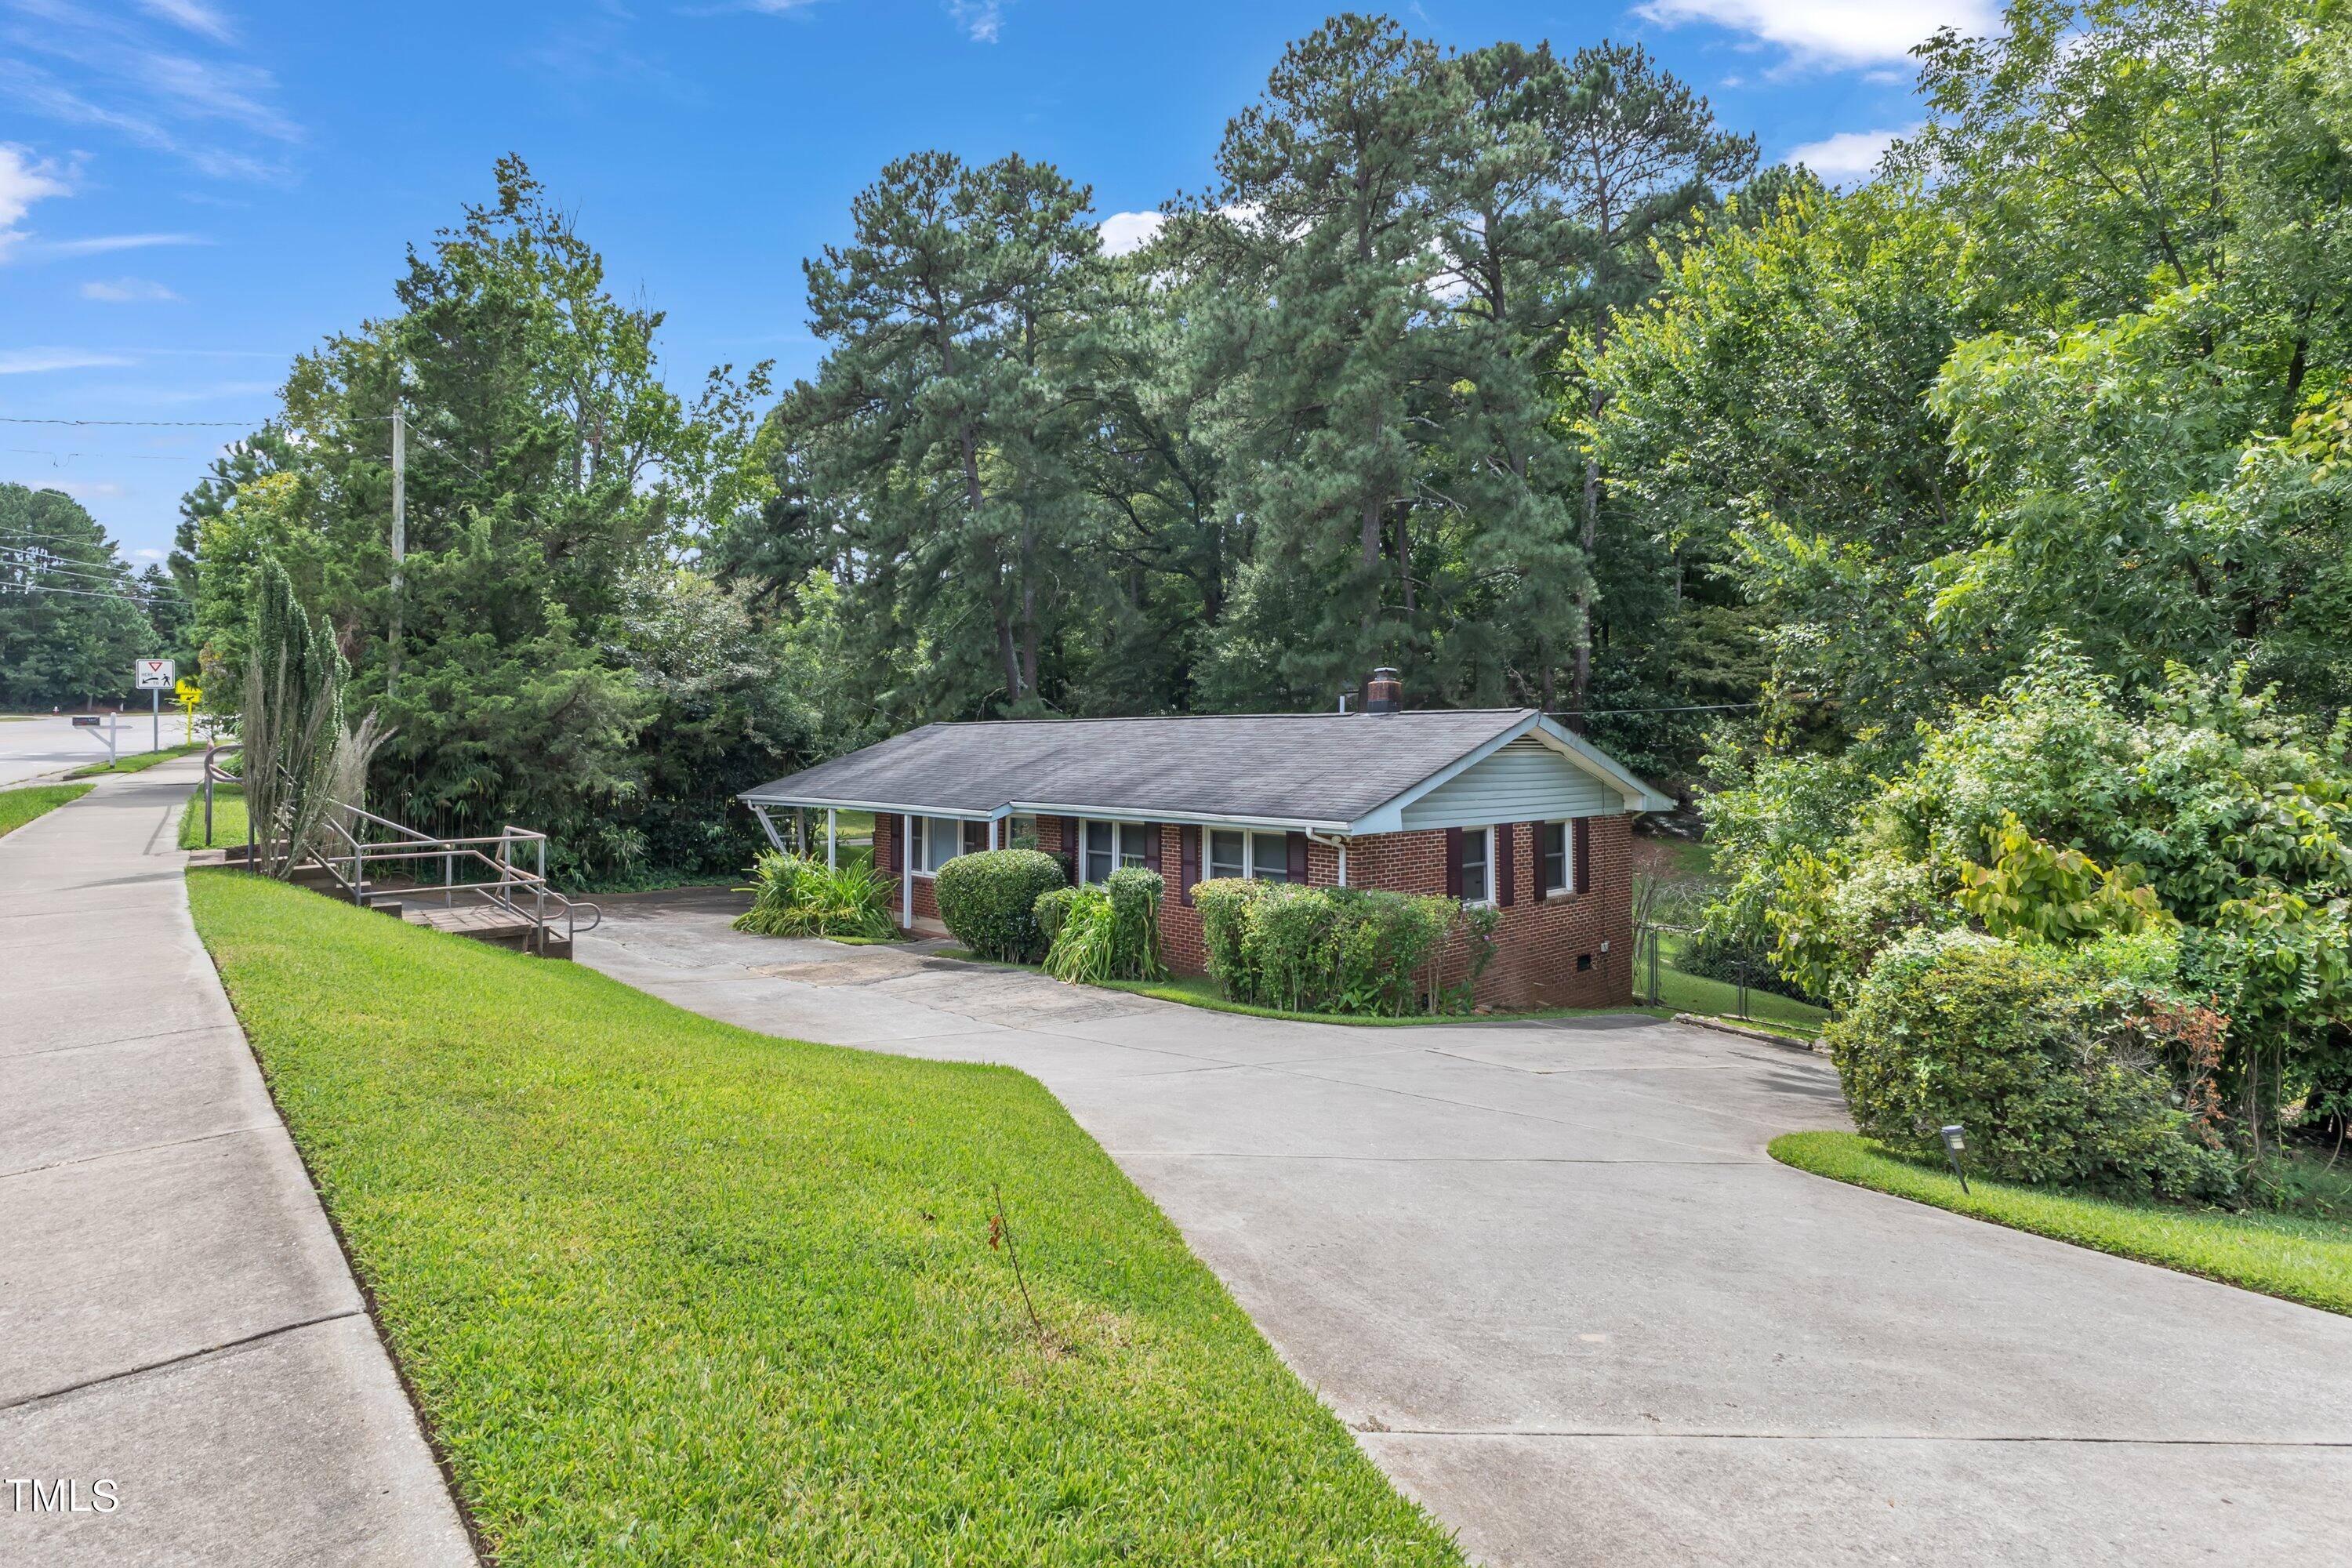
1499 808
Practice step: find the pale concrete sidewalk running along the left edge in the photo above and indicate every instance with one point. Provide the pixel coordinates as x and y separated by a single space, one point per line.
175 1313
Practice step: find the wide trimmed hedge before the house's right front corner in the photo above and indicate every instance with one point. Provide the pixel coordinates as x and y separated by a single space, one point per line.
1325 951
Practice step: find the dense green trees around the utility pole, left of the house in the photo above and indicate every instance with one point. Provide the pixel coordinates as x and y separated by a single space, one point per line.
549 657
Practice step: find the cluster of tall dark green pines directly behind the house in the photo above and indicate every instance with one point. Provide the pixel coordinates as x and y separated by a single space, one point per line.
1309 429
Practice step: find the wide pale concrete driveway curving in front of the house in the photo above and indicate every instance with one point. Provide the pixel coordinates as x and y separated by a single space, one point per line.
1565 1299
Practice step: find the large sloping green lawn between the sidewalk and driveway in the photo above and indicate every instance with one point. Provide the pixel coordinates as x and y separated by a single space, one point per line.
674 1292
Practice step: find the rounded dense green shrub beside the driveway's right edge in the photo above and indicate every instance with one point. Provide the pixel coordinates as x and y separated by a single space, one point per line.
2033 1052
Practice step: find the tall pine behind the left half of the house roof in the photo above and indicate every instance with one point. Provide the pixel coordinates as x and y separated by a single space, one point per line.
942 434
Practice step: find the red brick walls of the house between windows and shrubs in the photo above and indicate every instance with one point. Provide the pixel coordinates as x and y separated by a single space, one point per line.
1537 946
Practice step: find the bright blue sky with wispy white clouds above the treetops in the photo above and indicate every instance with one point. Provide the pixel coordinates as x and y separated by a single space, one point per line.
192 192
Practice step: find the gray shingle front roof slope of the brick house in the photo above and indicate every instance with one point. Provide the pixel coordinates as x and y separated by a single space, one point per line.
1316 768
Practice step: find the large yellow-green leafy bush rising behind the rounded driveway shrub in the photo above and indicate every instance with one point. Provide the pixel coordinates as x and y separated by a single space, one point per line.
2059 812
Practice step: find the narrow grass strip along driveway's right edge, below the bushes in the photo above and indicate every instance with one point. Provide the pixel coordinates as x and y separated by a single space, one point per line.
2301 1259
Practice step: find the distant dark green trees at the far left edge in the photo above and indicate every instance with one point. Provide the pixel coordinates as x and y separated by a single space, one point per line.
74 619
